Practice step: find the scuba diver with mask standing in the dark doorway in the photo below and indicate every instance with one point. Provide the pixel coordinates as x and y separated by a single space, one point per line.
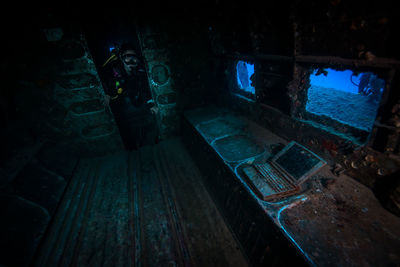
128 94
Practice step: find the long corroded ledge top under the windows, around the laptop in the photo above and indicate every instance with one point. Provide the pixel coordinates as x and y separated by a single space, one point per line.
333 221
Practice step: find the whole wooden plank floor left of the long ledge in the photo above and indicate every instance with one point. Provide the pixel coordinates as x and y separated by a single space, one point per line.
140 208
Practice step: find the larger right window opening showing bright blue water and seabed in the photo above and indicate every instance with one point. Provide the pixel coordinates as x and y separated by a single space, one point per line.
350 99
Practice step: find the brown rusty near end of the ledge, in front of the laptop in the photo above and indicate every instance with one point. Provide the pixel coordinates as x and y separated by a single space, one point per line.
342 220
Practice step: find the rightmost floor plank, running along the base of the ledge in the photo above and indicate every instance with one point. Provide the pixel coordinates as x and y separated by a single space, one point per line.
210 239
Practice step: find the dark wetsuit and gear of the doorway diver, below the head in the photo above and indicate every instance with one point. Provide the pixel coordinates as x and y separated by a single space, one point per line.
130 103
